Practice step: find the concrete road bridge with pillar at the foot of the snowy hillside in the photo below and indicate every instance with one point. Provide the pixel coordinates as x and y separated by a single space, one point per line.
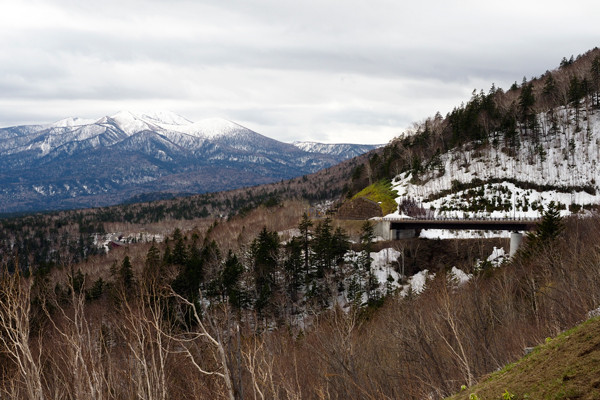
404 228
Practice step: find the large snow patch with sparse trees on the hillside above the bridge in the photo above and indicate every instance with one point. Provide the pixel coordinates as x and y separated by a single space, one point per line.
567 159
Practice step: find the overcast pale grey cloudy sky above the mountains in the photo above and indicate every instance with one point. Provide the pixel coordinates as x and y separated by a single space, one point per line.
333 71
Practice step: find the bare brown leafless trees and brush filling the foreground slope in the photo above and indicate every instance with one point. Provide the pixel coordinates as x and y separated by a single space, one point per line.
149 343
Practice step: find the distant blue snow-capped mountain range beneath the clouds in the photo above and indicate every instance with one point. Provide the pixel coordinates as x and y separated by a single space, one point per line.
78 163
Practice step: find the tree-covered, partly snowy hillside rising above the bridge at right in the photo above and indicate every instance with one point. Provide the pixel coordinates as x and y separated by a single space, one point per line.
504 153
